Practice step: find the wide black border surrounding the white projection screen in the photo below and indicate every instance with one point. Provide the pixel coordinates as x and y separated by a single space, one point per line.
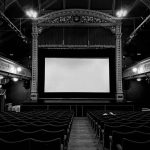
76 53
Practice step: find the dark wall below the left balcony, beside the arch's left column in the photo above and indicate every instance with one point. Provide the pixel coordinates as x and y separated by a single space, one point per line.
16 93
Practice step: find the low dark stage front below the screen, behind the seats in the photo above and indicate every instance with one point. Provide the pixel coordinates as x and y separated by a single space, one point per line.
81 108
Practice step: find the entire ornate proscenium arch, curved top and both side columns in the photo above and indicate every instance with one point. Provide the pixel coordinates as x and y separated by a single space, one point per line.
77 17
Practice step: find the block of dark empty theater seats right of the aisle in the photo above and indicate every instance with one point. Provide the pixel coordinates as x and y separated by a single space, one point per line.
121 130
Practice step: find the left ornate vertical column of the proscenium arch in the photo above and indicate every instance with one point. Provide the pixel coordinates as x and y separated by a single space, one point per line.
34 83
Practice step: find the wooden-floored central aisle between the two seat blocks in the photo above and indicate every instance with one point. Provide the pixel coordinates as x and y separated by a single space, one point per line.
82 136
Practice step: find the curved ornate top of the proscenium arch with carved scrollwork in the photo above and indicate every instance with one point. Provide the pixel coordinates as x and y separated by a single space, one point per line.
77 17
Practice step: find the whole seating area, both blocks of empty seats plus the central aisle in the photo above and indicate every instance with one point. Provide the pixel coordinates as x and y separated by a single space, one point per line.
60 130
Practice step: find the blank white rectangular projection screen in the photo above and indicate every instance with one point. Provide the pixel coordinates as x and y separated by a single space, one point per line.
77 75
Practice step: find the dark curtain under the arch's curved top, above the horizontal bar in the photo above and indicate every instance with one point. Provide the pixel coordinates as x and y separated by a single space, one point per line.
76 36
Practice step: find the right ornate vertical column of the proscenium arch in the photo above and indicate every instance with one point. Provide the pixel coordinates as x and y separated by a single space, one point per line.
119 91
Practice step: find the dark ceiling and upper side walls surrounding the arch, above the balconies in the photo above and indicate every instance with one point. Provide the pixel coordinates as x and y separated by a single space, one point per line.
12 44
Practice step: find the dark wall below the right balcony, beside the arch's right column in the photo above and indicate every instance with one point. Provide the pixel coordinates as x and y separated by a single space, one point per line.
137 91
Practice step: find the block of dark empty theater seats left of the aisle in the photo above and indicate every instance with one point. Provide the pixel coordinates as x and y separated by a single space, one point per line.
35 130
